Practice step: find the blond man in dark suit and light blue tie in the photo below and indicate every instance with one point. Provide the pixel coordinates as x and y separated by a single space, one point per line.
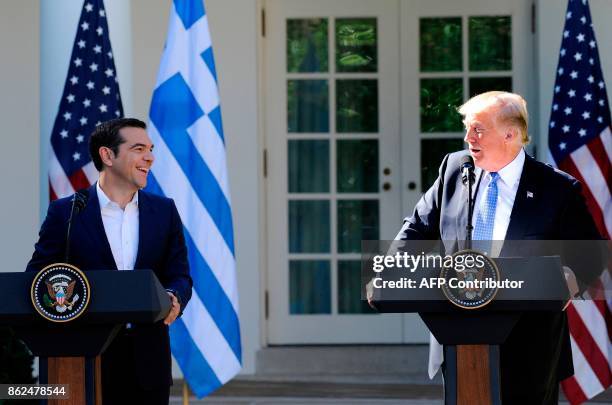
515 197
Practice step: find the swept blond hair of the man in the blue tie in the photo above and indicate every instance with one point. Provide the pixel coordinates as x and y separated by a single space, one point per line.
512 109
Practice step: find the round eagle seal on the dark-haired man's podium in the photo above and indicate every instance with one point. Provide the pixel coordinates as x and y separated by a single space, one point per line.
60 292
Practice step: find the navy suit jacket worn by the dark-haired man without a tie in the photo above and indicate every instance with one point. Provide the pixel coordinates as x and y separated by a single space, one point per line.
161 248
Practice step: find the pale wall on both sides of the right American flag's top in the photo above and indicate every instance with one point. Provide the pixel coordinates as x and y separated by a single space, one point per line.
550 21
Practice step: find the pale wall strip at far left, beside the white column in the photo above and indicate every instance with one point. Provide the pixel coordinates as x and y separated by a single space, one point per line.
19 114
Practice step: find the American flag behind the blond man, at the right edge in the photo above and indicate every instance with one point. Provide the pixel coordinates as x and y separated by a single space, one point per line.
580 143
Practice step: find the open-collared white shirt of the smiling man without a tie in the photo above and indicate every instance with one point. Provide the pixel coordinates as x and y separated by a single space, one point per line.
121 228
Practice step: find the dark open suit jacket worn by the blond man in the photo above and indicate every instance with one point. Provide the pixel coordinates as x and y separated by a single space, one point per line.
538 352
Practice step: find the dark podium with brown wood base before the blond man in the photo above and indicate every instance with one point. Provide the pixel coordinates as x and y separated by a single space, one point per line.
471 337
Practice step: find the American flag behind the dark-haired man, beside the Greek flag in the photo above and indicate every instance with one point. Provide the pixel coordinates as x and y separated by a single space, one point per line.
91 96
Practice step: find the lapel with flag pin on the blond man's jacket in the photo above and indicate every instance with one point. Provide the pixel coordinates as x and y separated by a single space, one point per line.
524 203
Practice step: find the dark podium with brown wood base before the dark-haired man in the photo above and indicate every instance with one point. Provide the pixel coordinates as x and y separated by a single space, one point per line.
70 352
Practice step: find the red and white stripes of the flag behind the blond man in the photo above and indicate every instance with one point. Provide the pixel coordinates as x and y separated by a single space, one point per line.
590 321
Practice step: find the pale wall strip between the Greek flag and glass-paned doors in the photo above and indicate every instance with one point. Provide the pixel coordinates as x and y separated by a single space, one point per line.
233 25
